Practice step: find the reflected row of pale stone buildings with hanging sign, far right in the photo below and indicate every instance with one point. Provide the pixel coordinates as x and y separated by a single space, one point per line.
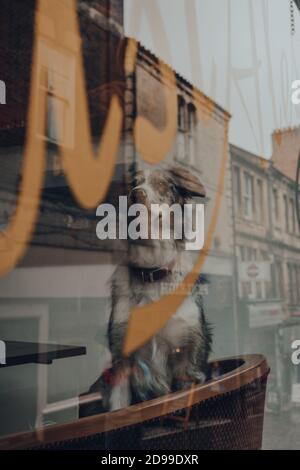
268 254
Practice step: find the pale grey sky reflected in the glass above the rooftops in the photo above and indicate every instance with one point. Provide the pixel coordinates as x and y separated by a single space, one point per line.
239 52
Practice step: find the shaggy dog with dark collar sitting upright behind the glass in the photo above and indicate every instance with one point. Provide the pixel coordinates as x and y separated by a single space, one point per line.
177 356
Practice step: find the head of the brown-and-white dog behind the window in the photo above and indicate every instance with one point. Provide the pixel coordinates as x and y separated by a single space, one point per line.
161 186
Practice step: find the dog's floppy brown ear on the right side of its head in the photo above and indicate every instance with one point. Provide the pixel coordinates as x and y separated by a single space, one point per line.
186 183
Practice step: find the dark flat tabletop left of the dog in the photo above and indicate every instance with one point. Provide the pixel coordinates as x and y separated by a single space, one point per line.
19 352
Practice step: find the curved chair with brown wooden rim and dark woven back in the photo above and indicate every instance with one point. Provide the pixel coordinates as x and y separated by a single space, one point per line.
224 413
